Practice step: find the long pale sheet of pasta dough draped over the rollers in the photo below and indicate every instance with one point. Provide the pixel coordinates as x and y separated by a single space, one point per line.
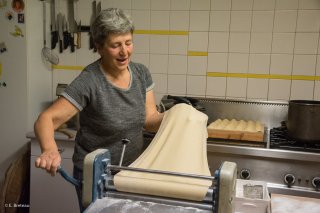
180 145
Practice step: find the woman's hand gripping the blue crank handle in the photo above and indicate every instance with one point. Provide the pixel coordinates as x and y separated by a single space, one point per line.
49 160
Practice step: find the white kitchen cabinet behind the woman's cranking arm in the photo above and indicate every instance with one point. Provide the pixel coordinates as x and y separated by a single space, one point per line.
52 194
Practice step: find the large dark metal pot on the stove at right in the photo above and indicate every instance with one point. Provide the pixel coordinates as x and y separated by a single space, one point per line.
304 120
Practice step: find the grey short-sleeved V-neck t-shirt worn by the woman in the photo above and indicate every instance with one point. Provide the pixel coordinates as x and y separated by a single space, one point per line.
108 113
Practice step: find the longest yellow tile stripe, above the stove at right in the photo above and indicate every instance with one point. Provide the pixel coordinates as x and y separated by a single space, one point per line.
264 76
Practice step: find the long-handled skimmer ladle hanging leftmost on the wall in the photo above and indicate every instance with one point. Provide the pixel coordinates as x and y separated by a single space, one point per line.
46 52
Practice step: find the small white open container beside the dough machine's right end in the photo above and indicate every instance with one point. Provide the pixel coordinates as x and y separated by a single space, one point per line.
243 204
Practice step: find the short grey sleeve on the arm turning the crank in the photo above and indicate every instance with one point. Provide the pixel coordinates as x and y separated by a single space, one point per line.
78 91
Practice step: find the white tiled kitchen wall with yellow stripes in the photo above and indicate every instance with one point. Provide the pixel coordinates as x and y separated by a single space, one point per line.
243 49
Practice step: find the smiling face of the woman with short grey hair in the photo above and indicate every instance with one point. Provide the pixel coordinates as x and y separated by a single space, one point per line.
116 51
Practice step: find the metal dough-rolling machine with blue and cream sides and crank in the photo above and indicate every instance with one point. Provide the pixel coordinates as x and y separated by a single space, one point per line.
100 195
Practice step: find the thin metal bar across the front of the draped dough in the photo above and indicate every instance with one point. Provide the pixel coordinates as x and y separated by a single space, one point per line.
113 167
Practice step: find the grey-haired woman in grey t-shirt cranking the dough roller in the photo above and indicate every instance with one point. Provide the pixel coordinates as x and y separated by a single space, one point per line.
113 95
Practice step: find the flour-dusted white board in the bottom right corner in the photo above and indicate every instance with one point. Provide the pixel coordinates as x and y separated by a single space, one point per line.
294 204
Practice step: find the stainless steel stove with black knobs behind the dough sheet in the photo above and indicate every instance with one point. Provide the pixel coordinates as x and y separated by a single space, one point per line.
286 170
